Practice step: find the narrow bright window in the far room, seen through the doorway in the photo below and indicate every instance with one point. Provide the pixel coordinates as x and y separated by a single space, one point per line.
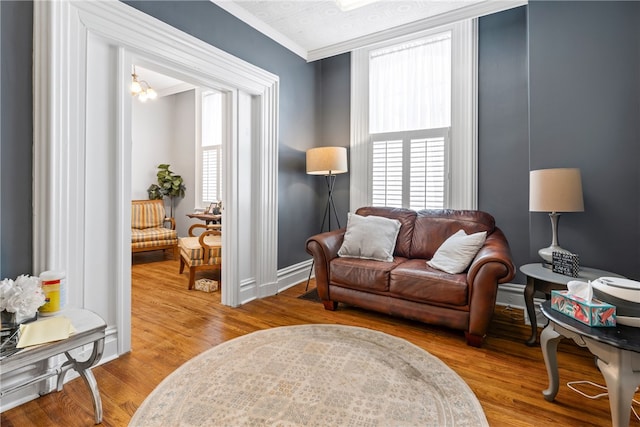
210 150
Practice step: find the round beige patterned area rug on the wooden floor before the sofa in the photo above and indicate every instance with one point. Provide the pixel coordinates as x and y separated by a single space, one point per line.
312 375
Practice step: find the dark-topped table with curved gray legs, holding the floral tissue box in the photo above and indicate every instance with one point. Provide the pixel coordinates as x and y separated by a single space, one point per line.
617 350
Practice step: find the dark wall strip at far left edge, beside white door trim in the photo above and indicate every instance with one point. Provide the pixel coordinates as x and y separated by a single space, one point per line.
16 28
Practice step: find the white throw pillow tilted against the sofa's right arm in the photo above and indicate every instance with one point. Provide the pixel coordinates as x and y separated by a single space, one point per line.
457 252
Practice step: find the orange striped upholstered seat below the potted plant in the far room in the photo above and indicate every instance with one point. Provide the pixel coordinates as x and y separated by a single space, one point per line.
148 230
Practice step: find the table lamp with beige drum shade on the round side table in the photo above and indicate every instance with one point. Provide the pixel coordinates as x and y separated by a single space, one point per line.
555 191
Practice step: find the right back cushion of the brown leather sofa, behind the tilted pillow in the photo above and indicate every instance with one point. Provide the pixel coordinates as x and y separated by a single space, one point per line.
433 227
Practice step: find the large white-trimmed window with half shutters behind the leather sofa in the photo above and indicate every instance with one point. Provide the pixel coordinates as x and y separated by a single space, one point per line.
413 115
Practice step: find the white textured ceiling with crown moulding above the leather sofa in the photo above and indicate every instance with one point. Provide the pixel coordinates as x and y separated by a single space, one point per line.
319 28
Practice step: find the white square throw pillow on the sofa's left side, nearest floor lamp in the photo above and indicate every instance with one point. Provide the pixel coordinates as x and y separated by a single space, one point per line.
370 237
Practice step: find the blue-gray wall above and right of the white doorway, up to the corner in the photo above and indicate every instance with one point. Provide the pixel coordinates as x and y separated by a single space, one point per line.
298 108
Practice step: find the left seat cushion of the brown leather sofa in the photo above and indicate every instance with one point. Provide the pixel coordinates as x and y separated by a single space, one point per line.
362 274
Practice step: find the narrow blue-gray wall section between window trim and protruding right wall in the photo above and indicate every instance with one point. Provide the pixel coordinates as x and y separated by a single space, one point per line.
503 126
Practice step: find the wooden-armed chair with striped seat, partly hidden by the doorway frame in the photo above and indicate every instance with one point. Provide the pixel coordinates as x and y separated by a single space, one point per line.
201 252
